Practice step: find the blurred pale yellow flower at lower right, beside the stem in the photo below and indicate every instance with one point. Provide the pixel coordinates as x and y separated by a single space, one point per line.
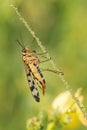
67 105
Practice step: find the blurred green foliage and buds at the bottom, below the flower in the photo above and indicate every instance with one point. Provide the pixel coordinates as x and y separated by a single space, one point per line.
44 121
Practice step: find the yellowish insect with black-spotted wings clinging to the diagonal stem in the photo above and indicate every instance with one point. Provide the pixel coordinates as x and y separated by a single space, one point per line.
33 72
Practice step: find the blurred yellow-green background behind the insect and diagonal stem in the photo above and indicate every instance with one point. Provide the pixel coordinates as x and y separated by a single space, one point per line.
61 25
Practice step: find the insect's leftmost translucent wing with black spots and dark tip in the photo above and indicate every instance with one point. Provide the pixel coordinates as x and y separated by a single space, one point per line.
31 83
